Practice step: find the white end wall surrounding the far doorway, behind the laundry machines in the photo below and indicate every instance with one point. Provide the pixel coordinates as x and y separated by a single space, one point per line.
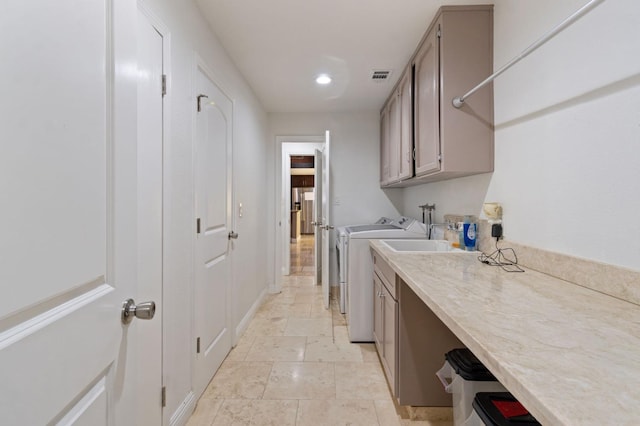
354 169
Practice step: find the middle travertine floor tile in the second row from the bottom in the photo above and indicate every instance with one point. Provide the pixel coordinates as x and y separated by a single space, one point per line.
301 380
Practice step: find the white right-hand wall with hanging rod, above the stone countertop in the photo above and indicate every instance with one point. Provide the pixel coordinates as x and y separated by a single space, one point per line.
567 133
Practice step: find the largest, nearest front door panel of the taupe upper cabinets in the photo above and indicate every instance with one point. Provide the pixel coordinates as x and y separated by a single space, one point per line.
426 105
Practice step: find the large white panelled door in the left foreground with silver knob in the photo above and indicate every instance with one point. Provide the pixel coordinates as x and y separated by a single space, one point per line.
68 216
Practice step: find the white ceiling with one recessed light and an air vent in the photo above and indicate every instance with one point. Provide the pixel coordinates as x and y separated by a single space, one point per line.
280 46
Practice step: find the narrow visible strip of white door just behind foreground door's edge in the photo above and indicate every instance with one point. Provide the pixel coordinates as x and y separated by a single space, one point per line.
150 141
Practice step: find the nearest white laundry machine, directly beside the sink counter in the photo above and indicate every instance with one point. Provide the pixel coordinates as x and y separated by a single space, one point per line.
356 269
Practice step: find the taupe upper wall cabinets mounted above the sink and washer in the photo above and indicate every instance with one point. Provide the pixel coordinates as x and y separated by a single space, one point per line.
455 54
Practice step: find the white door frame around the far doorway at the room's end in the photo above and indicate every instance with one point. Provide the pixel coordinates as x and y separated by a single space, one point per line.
289 145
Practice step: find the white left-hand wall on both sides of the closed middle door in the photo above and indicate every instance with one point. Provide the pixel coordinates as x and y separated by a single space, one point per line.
190 35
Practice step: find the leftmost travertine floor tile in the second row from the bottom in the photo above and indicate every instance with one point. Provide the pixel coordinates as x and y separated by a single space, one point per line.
239 380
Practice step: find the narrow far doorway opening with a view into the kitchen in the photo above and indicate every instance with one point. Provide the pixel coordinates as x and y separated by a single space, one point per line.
303 199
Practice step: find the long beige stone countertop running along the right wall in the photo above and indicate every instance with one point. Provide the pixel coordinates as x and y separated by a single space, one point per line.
571 355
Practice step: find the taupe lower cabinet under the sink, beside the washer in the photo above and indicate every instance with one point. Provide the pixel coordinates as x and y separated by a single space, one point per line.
410 339
